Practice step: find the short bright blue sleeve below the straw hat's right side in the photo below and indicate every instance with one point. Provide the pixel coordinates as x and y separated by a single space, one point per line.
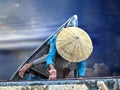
81 66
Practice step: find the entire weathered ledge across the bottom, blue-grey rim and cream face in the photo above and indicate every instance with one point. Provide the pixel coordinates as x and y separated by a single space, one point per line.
109 83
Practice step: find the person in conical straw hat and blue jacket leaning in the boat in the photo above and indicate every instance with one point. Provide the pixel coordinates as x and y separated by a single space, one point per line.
74 50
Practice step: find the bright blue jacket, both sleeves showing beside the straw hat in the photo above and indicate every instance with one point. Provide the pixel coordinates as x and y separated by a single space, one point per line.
81 66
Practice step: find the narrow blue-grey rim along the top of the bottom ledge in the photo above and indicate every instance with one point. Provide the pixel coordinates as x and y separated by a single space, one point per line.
61 81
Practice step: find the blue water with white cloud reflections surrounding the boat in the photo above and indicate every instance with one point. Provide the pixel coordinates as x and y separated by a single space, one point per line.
25 24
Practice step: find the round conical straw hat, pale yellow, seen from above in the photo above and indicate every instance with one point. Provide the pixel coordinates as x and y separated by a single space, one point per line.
74 44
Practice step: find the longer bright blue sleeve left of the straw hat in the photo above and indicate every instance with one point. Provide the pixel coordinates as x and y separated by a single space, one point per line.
52 51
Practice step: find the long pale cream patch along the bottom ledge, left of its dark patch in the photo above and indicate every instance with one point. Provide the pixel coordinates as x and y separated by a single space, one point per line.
45 87
